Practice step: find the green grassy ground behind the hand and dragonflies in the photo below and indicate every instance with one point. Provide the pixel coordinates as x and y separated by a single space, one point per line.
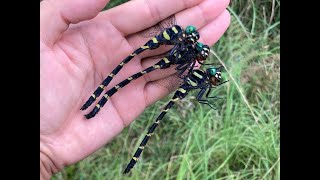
239 141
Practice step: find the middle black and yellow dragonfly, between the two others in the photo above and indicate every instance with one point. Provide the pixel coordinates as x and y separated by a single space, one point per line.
185 57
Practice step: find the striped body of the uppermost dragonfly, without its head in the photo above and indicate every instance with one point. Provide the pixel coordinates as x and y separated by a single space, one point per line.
169 36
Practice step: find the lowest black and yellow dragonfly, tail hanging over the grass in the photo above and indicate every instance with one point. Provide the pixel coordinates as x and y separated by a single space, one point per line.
197 79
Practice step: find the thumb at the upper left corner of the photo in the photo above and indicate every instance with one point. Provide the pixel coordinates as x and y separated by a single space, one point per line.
56 15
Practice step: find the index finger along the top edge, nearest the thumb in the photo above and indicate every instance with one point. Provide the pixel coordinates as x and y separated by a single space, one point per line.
145 13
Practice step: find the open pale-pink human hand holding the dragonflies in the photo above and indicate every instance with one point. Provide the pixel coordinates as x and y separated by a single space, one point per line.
79 46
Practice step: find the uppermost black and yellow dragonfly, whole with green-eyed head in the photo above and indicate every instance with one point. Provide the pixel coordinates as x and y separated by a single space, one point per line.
174 35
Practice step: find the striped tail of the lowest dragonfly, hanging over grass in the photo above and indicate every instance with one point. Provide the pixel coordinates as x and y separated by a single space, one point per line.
179 94
